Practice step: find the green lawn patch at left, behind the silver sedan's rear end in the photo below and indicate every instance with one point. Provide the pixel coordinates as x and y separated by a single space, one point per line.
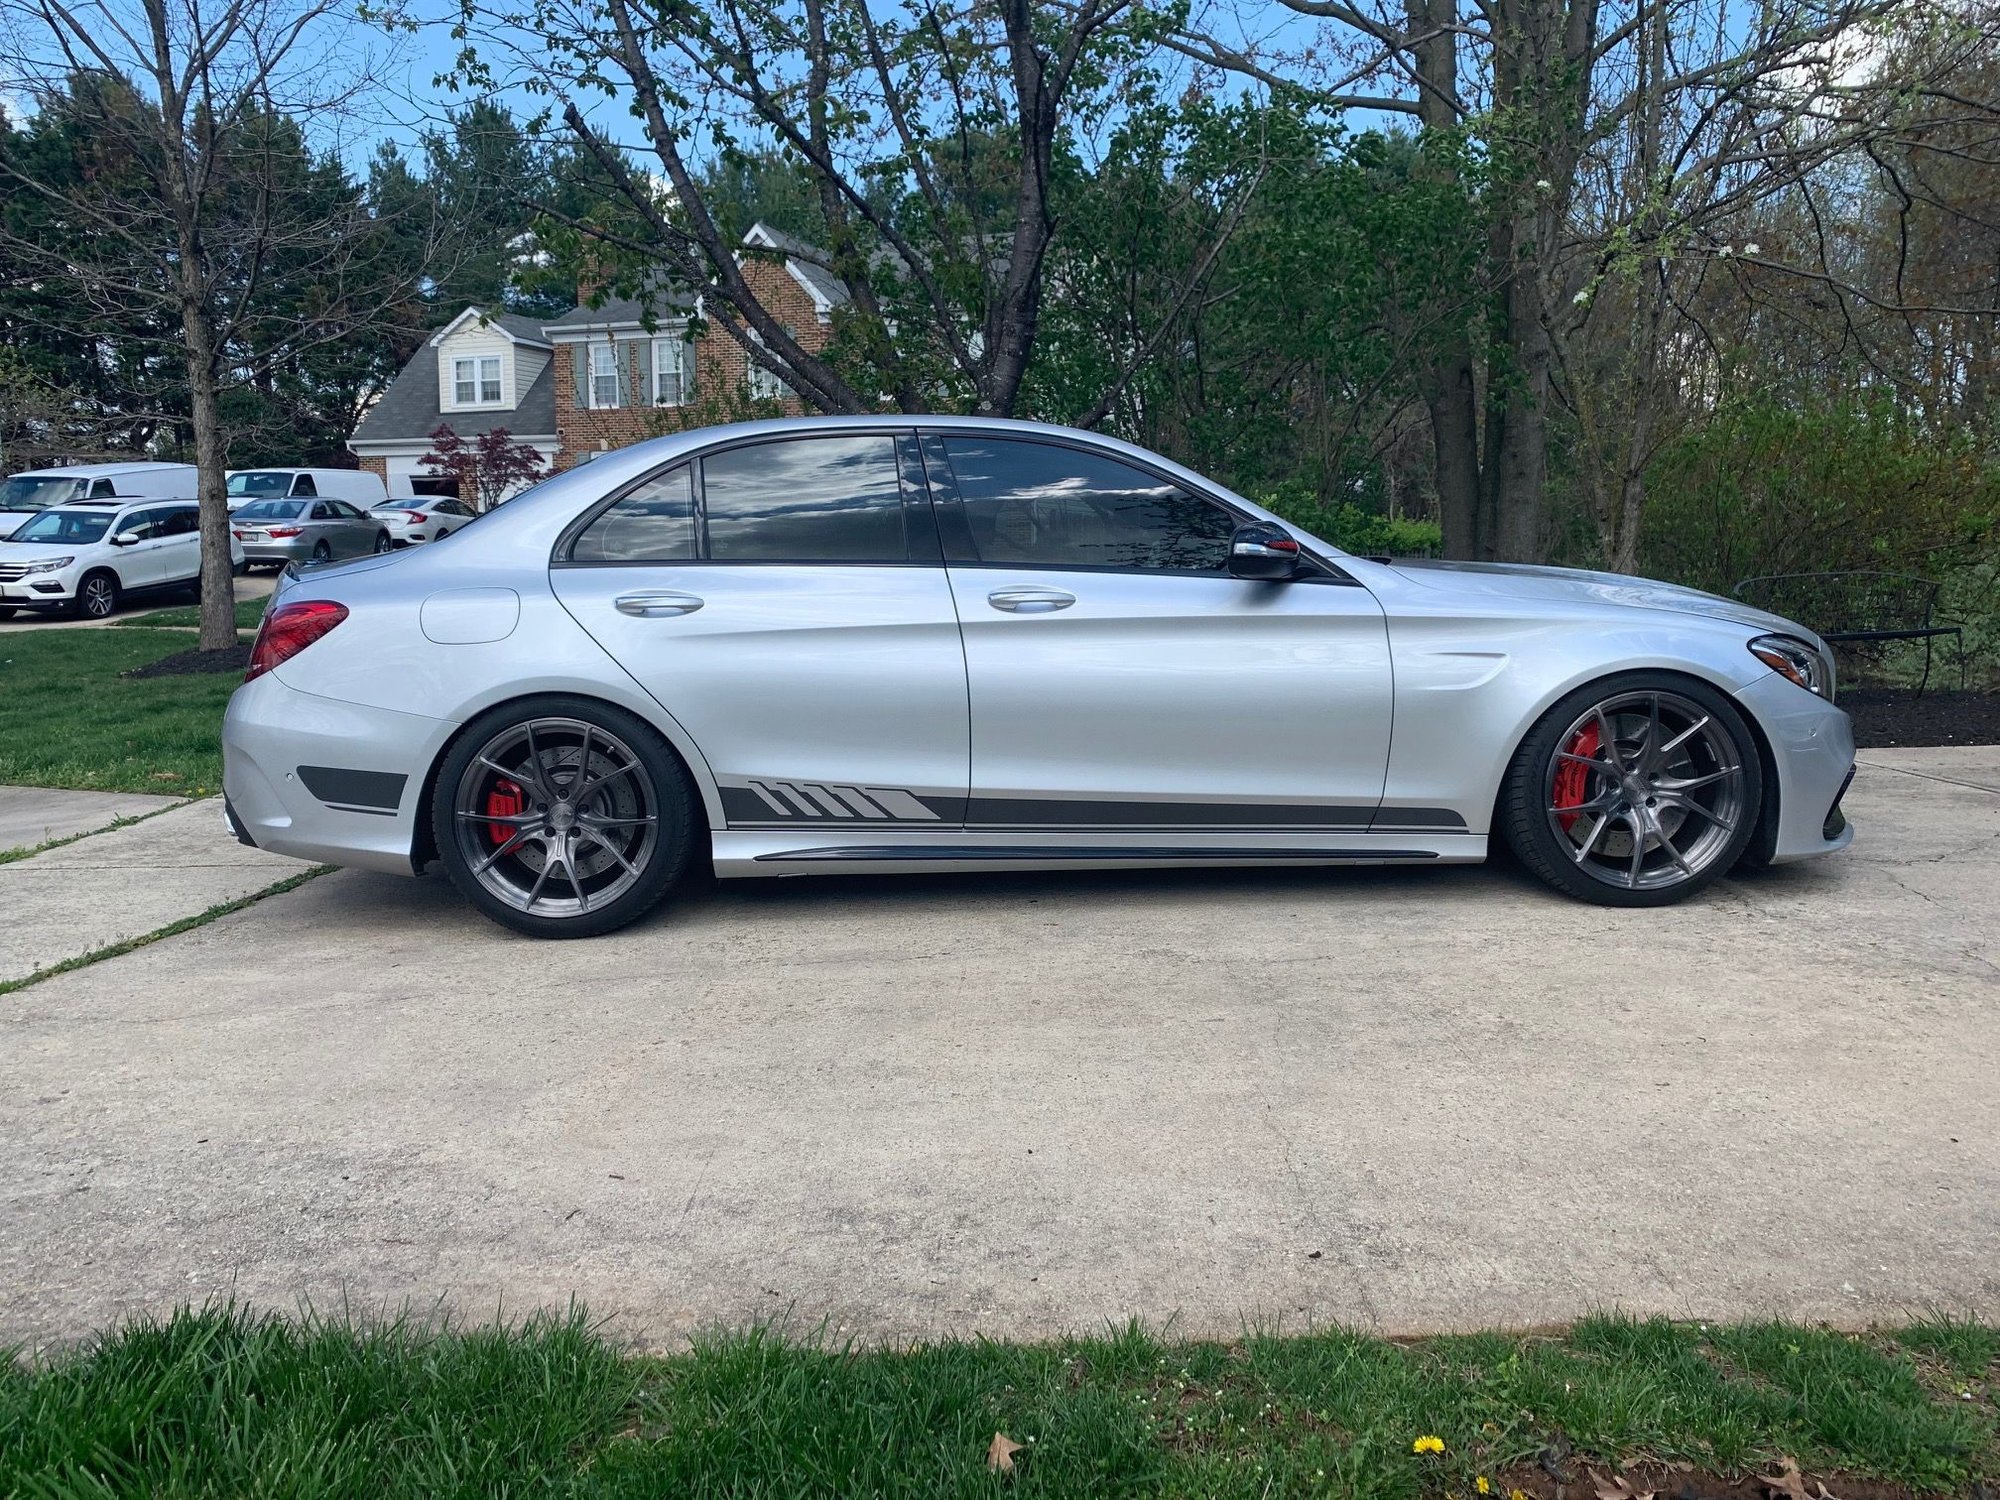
67 719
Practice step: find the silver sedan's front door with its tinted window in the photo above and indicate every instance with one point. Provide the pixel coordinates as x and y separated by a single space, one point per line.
1125 683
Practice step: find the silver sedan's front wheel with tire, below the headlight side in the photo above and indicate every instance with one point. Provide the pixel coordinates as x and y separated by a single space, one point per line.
1637 791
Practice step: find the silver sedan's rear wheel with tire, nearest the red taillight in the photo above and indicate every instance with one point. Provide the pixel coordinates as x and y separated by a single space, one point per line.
563 817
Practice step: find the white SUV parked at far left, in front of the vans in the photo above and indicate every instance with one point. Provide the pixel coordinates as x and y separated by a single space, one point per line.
83 559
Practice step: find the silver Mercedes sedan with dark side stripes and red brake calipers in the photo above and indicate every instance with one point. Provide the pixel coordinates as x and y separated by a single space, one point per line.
907 645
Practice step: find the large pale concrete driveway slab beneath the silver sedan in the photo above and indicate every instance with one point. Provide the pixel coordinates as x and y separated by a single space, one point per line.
1023 1105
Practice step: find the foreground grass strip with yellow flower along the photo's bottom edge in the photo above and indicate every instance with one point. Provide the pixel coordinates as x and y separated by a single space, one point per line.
223 1403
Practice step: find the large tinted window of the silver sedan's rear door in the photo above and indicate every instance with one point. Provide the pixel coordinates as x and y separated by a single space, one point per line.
805 501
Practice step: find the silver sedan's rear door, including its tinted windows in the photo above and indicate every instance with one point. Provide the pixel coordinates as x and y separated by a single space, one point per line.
787 603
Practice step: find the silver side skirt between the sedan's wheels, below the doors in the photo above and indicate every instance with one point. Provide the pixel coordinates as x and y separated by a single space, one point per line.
811 853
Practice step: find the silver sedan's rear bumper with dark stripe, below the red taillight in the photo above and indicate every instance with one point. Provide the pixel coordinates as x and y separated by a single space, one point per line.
327 781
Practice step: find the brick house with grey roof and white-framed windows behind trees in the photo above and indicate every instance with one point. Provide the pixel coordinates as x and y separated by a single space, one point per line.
595 379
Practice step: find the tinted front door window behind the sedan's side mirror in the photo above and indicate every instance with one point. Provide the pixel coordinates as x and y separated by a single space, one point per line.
1039 505
